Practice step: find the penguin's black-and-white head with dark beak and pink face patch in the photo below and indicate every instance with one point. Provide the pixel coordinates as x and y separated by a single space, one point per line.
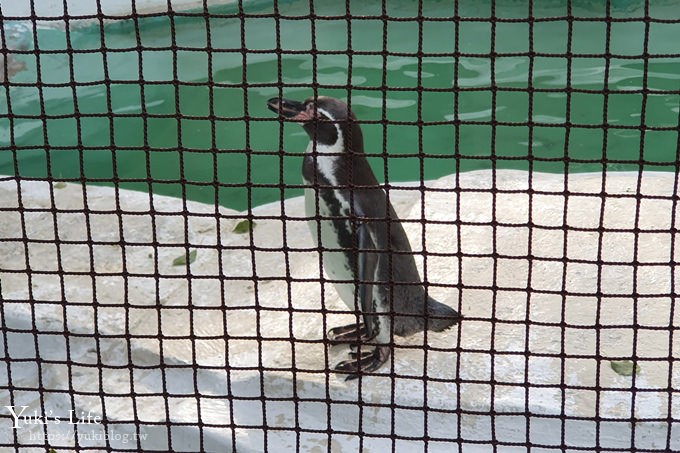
328 121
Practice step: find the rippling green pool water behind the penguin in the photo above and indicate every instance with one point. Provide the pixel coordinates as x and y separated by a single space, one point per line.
122 107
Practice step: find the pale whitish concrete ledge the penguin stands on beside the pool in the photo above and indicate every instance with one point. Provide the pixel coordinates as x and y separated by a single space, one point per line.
546 345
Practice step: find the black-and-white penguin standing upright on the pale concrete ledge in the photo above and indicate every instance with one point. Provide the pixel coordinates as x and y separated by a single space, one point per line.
364 248
